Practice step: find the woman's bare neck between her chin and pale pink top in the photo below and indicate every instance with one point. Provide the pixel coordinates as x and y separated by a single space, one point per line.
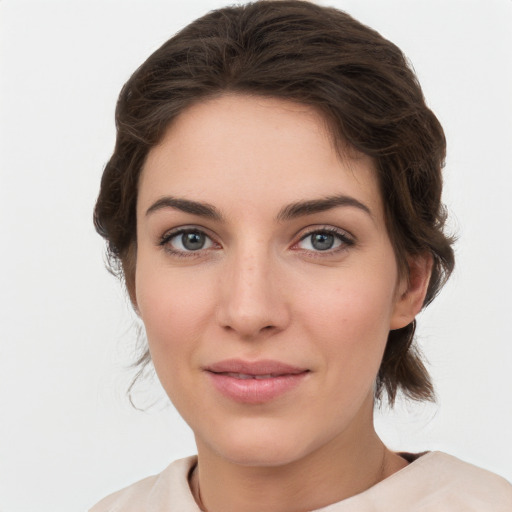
336 471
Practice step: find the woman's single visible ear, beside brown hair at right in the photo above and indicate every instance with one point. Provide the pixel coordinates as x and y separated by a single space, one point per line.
412 290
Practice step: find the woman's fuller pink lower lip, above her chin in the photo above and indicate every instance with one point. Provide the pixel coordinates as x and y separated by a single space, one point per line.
255 391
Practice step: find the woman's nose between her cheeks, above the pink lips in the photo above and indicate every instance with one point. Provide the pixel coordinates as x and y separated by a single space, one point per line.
252 300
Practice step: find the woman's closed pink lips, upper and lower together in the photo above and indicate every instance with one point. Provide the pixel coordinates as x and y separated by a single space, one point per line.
254 382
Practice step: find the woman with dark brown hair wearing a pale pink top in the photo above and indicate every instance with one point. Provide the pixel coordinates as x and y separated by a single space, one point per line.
273 204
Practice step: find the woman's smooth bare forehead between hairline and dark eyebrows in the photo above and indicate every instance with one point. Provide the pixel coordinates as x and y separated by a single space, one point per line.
243 151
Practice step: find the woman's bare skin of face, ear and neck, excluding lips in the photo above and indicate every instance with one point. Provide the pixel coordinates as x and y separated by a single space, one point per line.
259 289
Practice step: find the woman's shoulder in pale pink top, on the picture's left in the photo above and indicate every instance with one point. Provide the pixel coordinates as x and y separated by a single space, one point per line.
168 490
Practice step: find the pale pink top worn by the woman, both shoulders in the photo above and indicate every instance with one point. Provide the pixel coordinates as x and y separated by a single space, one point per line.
435 482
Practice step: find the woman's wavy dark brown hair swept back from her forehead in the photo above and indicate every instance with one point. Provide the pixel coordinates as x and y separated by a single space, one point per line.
321 57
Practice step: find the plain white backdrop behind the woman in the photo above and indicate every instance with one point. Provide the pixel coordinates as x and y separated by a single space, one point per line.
68 435
